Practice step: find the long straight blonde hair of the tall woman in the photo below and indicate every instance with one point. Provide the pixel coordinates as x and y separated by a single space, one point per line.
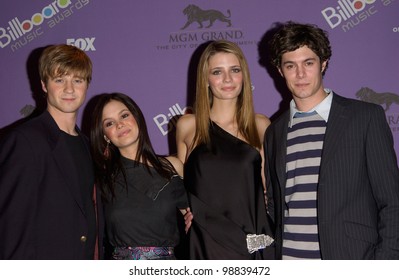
245 114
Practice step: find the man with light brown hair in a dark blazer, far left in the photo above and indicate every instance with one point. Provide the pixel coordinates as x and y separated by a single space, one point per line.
46 176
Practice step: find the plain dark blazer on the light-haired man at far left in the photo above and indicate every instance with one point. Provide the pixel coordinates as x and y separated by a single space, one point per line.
41 212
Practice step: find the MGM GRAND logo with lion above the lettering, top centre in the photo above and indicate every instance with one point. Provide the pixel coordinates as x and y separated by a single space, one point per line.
202 25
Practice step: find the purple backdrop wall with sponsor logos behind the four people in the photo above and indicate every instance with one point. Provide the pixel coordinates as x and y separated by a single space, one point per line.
140 48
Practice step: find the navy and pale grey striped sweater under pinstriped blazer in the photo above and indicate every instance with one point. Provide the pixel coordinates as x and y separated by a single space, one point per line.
304 149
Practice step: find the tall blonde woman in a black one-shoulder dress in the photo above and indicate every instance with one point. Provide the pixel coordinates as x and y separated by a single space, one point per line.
221 147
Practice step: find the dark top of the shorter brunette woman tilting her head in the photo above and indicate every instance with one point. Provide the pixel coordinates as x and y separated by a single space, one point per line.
146 213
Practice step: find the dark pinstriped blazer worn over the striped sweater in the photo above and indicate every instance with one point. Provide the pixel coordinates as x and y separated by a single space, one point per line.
358 192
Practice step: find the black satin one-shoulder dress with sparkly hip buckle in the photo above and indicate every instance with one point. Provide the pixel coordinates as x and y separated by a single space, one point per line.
224 185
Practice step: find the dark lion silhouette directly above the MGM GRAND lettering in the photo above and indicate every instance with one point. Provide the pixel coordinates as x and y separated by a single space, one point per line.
195 14
